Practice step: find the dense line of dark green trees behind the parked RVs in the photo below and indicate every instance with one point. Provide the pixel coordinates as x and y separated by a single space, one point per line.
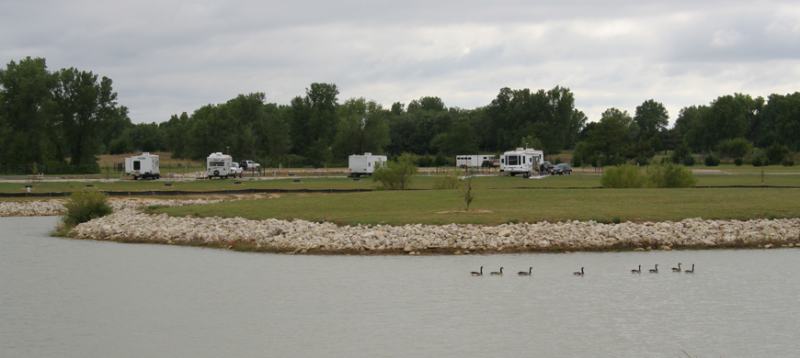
64 119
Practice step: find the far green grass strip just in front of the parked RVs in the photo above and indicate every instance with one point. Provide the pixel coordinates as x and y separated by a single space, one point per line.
421 182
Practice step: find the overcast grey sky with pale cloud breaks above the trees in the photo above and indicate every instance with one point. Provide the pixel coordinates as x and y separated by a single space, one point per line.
166 57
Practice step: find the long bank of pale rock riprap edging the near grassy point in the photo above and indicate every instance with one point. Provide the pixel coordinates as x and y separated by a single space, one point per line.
305 235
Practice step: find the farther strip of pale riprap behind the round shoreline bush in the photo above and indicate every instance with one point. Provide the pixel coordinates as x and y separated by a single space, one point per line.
56 207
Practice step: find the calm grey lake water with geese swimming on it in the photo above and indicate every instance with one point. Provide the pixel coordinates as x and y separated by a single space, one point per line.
72 298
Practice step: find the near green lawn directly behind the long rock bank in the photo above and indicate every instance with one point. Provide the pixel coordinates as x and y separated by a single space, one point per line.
605 205
